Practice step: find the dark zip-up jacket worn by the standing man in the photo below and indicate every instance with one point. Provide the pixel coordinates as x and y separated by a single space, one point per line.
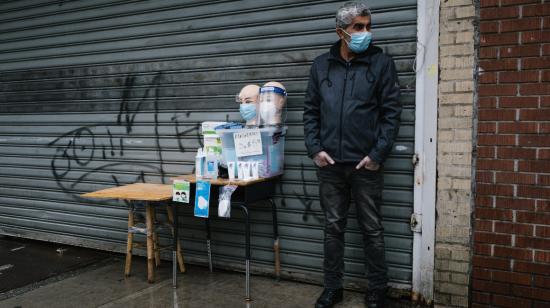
351 108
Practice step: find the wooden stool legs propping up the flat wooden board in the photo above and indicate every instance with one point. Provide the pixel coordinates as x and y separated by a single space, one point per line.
153 243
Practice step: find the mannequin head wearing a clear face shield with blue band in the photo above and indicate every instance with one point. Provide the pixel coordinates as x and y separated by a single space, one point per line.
272 102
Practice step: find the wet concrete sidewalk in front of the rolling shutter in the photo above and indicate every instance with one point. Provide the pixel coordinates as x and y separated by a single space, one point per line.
105 286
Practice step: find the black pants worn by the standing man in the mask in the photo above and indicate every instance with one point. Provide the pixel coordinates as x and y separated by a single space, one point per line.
337 183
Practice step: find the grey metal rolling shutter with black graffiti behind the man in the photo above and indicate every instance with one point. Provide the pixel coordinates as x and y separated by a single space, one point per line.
97 93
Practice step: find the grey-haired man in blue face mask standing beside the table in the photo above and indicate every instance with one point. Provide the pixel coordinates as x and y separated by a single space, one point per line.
351 119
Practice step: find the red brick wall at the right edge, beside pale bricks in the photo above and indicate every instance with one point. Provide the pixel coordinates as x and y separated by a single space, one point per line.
511 262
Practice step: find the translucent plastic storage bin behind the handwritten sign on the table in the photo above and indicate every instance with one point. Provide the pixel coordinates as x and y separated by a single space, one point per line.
271 161
